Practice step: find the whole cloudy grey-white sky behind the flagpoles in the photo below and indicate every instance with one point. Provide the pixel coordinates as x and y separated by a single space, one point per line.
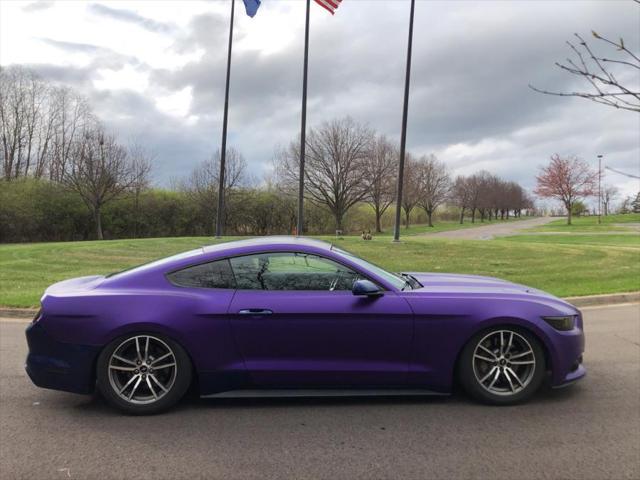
154 70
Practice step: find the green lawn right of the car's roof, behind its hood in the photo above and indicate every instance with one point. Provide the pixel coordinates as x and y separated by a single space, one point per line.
563 270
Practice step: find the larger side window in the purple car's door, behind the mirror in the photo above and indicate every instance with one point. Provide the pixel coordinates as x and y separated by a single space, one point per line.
291 271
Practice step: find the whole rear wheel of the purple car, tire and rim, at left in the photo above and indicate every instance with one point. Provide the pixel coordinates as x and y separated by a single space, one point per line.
143 373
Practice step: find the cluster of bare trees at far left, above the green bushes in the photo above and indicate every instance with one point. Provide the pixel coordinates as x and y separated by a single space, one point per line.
49 133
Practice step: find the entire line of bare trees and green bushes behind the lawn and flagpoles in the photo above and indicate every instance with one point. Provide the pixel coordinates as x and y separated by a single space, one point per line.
65 177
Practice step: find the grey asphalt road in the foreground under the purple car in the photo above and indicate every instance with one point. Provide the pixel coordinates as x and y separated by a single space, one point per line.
588 431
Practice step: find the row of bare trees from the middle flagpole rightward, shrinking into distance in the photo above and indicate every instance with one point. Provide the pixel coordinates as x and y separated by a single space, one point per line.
348 163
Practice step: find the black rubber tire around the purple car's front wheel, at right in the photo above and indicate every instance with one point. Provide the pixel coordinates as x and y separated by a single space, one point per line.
468 371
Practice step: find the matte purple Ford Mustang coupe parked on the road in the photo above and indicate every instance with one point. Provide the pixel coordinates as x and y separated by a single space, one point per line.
292 316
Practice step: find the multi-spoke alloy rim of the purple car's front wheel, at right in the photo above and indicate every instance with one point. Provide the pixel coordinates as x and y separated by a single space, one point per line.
504 362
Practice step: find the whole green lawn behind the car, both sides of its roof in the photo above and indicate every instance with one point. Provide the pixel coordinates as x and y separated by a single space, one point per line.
563 269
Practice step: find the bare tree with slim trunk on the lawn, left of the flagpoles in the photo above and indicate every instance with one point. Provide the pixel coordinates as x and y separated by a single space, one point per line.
98 171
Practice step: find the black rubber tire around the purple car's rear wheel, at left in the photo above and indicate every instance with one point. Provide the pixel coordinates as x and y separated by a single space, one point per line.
180 374
